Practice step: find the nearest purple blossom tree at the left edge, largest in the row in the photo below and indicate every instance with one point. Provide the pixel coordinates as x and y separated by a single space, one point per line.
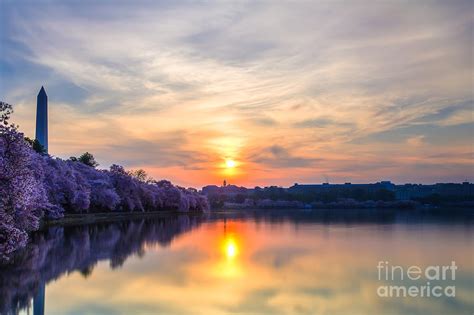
22 196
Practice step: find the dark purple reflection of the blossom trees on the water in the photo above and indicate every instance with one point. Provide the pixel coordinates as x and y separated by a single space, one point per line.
60 251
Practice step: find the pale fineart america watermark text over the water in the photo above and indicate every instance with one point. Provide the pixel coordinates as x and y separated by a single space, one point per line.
405 282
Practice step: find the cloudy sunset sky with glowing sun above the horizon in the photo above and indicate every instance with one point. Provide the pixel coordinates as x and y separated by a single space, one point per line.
256 93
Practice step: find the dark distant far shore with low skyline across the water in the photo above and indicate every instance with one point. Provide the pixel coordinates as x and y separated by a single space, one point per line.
441 193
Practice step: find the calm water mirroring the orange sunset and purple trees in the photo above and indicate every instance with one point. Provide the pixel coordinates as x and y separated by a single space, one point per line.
253 262
